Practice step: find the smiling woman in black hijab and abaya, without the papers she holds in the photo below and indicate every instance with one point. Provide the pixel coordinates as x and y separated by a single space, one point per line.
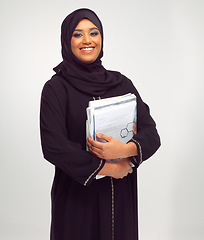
84 208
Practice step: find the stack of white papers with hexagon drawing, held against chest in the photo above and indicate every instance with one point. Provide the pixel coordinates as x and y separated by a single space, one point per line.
114 117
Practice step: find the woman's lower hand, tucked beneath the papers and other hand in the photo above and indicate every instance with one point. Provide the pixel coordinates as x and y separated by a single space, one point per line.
119 169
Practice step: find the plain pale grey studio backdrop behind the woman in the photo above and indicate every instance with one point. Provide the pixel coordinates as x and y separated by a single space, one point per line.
159 45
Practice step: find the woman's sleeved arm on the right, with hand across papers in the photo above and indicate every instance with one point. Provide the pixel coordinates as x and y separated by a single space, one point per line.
143 144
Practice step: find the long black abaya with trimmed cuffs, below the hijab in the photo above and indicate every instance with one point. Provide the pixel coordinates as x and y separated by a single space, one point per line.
83 207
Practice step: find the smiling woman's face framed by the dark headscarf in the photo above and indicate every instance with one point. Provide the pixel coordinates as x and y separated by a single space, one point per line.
86 41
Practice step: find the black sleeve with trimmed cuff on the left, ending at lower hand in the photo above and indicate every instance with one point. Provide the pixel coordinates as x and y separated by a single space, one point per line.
56 145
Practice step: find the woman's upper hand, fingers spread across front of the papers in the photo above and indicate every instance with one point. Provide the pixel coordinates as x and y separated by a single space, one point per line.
111 149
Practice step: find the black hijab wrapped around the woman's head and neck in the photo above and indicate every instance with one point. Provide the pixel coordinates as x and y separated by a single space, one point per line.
93 78
